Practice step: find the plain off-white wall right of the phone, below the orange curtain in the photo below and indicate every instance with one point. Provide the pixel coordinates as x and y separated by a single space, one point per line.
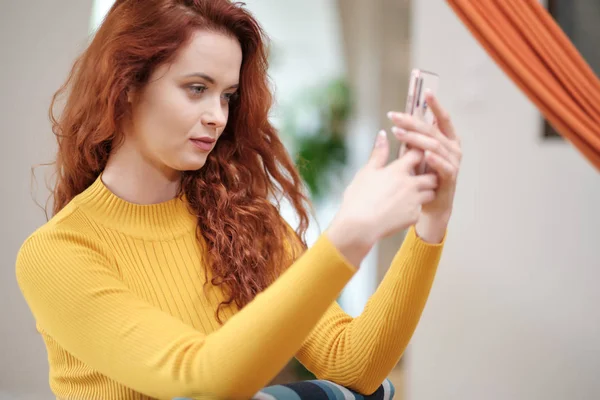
513 312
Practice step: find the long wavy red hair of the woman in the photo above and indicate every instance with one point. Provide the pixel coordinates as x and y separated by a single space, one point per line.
236 195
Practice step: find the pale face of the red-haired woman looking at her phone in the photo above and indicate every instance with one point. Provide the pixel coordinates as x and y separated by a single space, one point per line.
183 109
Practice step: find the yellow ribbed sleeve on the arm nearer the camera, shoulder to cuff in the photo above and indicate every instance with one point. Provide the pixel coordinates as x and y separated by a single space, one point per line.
72 286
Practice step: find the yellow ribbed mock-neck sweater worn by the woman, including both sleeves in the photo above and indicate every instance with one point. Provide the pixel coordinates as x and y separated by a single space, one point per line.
117 293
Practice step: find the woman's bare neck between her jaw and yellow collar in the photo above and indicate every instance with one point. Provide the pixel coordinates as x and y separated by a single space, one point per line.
135 179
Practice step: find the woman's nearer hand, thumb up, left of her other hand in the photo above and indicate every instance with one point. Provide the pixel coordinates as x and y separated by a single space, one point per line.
380 200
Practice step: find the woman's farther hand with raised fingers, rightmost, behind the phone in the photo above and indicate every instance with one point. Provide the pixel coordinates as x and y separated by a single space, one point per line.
443 155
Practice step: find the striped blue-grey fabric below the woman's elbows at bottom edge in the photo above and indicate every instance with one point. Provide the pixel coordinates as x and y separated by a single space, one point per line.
321 390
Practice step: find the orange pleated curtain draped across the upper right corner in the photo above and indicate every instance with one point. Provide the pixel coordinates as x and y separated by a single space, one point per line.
526 42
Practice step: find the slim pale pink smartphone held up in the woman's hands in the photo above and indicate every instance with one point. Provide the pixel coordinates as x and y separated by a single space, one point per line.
420 81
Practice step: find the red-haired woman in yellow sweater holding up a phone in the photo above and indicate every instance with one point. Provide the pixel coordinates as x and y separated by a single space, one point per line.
166 271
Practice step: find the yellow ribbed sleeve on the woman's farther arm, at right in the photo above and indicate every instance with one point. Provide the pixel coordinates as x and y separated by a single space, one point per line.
360 353
